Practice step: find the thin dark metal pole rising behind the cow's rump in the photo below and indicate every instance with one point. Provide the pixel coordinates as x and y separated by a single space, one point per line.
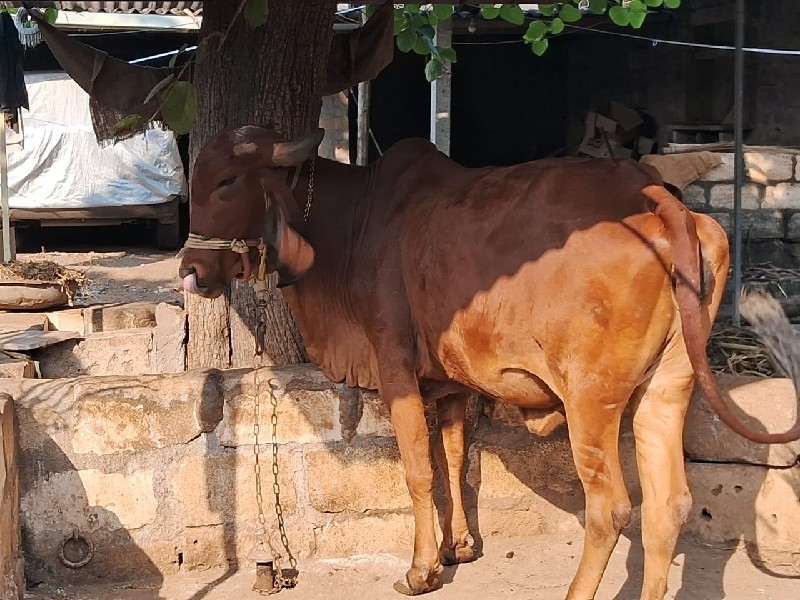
738 158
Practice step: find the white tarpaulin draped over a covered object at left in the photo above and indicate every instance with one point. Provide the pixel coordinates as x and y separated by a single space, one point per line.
63 166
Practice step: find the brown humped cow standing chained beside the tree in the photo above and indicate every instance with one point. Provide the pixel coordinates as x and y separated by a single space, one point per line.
568 286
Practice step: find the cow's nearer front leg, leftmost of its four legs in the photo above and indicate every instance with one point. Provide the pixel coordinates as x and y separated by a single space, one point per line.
407 413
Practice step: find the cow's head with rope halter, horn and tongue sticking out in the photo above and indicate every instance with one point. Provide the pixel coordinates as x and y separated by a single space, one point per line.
242 190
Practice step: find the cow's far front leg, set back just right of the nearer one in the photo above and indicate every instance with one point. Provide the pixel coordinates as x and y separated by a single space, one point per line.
457 542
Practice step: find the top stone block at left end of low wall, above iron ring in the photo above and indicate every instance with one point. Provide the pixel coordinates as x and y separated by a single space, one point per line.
109 415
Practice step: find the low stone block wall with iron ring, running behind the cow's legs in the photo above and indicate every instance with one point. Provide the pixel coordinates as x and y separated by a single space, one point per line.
158 473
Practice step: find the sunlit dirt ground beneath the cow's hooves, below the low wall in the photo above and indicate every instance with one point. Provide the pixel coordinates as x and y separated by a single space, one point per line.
533 568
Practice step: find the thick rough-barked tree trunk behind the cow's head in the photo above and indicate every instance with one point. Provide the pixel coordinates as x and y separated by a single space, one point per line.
269 74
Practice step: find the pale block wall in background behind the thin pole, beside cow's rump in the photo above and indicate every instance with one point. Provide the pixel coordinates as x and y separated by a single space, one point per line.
770 196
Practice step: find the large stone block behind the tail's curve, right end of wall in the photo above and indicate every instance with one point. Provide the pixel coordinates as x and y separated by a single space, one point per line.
767 405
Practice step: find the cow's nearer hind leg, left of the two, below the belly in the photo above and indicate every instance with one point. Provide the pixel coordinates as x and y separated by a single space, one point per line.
594 437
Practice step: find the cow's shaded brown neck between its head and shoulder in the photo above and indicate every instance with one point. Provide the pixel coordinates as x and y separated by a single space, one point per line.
321 301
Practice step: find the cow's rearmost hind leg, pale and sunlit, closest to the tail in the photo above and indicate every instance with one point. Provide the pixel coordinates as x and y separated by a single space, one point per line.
659 407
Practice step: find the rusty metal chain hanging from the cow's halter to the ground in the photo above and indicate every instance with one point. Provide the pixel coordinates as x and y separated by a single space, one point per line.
281 580
